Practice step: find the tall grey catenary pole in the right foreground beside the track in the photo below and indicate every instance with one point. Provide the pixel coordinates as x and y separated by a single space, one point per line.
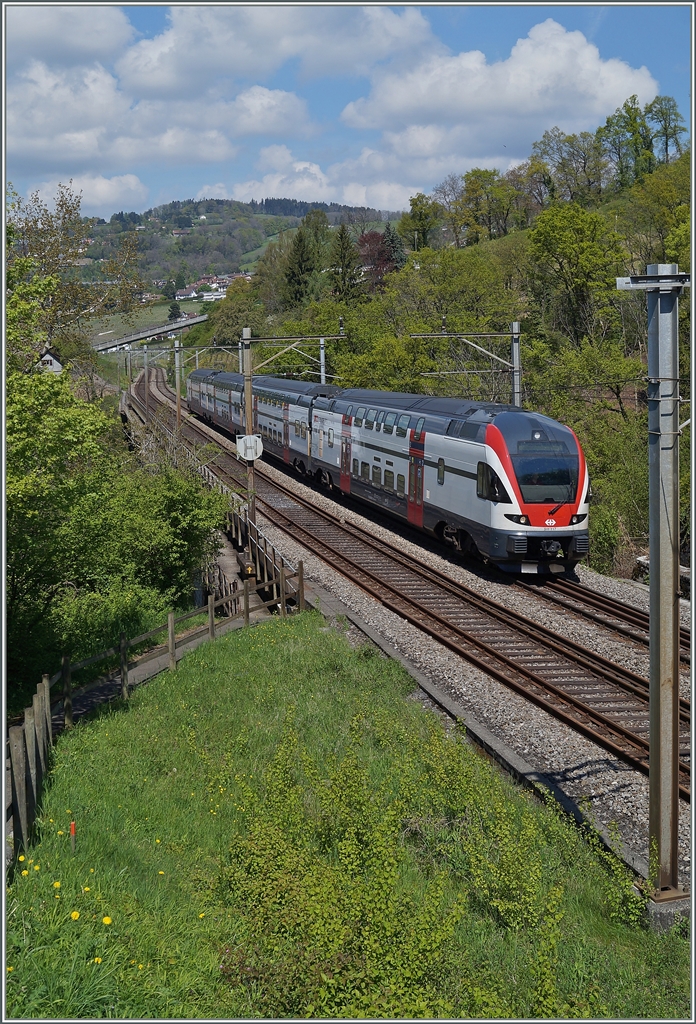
664 492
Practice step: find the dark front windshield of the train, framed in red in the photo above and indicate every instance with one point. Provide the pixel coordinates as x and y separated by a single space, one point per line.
545 457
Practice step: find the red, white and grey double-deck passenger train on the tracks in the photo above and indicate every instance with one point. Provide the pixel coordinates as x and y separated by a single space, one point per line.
497 482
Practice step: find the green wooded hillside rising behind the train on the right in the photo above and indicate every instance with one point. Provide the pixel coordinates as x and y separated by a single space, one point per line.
542 244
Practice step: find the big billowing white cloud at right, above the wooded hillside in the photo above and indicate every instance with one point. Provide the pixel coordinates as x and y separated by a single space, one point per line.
551 77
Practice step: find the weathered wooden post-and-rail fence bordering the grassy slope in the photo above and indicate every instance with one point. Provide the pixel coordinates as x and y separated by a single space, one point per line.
275 582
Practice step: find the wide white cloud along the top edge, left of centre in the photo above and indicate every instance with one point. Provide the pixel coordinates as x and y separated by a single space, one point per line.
205 47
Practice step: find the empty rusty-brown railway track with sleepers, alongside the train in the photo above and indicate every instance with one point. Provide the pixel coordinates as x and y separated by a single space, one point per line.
596 698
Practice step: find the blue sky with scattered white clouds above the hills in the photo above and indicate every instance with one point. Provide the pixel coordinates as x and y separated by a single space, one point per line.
363 105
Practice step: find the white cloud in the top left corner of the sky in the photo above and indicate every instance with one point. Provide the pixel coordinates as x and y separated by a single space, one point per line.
61 35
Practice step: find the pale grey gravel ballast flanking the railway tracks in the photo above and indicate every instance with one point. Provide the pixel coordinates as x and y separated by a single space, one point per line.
588 774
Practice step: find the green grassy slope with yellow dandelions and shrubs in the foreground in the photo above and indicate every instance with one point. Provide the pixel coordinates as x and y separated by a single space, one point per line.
278 832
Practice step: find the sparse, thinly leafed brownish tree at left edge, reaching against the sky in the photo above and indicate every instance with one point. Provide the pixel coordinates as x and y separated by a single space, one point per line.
47 244
